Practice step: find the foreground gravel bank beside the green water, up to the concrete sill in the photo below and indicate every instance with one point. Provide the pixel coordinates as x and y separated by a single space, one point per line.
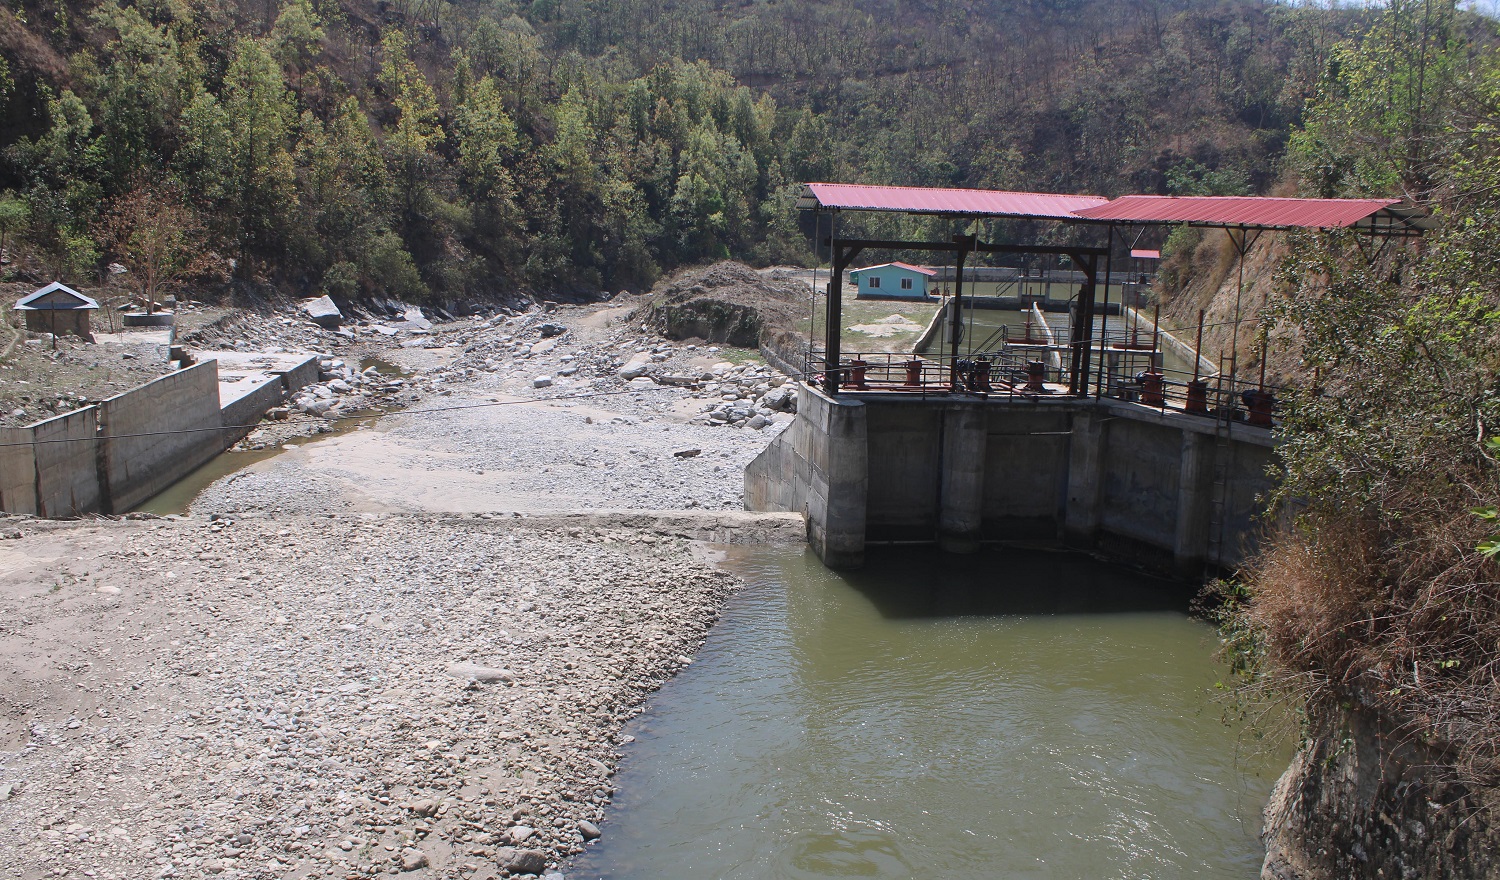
335 696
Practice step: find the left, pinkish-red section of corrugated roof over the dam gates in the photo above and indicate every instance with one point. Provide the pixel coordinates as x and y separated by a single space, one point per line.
917 200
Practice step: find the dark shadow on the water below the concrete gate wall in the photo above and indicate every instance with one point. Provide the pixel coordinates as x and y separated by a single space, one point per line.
919 582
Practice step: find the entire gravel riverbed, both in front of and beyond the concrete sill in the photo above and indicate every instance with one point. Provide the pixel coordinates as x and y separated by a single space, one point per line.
404 650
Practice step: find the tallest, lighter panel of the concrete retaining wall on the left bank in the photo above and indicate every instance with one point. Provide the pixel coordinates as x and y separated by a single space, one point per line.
160 433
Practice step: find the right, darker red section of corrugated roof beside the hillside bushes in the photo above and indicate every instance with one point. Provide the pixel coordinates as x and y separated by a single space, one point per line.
1277 214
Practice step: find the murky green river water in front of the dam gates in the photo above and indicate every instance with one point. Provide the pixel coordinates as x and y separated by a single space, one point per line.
1013 714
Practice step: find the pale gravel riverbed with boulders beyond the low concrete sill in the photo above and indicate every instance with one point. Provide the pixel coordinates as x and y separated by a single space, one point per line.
569 410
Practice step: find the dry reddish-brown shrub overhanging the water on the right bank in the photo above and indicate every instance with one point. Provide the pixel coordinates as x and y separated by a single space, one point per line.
1400 614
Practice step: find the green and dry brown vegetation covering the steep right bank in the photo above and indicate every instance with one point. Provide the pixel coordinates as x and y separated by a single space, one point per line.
1385 594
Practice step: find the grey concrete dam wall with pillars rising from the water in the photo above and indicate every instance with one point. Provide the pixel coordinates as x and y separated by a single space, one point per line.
1168 489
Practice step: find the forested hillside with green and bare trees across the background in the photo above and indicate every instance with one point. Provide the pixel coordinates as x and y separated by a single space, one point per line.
434 149
